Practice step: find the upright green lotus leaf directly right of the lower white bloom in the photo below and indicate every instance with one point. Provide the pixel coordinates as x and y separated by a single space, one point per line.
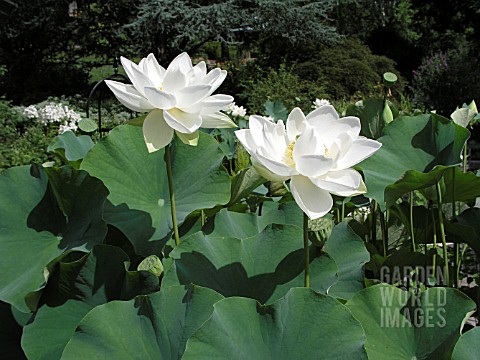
417 144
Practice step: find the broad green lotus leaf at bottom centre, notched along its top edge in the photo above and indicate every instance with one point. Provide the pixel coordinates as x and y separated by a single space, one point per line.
301 325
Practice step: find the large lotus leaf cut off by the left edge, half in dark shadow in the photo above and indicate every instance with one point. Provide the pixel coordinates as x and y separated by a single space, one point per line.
41 217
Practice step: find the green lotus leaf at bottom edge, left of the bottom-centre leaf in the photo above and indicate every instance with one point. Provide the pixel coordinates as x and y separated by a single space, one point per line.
154 326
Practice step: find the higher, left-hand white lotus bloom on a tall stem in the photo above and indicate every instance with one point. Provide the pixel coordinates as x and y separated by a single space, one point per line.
179 99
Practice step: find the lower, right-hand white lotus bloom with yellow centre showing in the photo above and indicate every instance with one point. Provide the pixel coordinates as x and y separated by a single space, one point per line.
316 153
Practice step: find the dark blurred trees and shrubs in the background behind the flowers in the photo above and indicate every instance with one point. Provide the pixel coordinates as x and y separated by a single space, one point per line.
340 48
